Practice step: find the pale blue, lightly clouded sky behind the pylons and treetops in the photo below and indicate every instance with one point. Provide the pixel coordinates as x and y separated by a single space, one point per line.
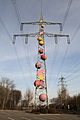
18 62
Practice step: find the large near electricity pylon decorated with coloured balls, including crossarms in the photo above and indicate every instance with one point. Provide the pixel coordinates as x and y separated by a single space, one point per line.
41 82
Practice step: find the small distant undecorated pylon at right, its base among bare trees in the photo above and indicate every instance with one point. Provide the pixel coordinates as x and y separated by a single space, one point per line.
63 90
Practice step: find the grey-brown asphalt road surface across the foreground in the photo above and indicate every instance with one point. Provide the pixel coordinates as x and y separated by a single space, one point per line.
20 115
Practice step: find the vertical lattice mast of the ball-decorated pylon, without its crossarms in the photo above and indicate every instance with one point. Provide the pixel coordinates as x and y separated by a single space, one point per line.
40 83
